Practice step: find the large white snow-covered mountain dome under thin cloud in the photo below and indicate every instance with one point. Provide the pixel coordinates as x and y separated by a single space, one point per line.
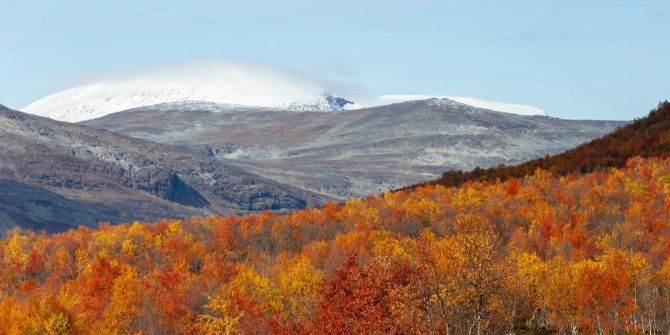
223 82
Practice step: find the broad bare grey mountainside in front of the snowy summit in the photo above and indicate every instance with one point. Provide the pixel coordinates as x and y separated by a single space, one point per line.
356 152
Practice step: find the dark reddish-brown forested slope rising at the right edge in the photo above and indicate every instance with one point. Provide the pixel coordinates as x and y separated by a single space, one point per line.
645 137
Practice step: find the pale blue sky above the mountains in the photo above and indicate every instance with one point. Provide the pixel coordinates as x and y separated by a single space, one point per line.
599 59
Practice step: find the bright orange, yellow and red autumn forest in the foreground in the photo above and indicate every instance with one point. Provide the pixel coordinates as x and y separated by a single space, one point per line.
543 253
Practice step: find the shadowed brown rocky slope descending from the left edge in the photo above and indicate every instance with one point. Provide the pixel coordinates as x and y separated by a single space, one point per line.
118 178
